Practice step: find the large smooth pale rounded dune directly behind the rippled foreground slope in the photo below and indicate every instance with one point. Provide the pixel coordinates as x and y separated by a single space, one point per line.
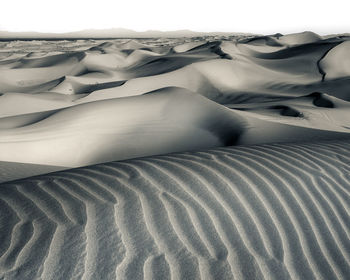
167 120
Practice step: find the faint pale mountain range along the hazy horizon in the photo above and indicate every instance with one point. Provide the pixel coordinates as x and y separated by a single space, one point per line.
111 33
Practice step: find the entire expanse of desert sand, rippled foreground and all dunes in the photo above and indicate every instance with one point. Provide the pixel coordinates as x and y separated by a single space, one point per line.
188 158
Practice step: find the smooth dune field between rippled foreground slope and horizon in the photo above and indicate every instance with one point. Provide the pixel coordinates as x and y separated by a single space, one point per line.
84 102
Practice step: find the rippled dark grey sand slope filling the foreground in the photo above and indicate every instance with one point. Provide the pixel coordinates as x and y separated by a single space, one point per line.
274 211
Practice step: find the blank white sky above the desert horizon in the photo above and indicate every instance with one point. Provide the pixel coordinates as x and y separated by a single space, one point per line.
264 17
